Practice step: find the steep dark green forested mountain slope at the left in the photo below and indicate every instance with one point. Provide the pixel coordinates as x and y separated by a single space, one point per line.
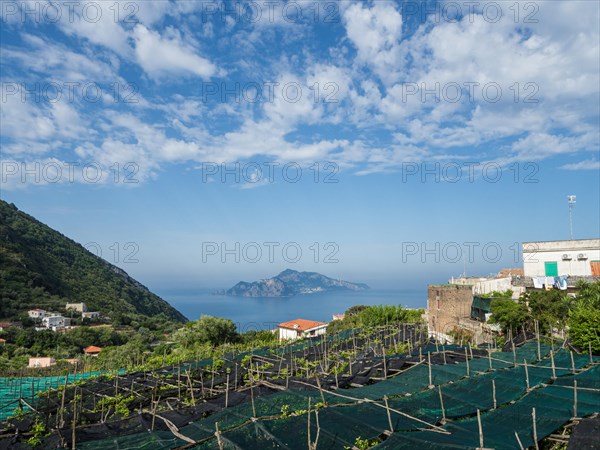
41 268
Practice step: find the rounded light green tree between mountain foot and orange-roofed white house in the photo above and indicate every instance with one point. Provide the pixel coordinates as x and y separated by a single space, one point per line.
208 329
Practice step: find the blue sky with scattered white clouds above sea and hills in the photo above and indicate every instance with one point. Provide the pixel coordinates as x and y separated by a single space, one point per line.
196 144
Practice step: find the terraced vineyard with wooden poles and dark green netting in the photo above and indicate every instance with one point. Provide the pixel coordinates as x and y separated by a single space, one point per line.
383 387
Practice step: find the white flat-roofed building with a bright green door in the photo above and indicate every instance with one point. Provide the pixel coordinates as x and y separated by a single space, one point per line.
557 258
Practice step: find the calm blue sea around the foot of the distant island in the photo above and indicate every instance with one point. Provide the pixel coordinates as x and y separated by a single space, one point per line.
264 313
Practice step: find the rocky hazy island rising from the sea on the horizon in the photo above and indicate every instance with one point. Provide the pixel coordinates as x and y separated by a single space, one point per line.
291 282
